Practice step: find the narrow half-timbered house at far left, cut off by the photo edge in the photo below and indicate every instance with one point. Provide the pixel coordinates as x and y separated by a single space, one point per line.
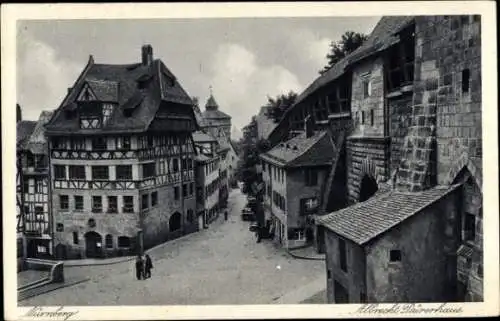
35 222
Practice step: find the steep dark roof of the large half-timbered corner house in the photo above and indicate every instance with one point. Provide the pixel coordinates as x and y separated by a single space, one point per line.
119 83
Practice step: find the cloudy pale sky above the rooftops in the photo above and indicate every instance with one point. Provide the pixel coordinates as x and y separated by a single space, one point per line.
244 60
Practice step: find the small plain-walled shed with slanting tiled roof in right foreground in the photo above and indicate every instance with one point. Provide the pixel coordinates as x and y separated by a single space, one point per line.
391 248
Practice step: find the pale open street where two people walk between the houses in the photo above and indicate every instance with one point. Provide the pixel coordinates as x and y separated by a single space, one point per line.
220 265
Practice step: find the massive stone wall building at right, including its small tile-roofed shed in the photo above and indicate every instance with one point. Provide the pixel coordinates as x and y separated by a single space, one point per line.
404 114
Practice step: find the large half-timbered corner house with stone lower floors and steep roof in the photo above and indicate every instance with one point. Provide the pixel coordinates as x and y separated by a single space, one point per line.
122 160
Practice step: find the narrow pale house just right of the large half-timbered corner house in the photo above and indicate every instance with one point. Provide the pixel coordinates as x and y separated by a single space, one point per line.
207 180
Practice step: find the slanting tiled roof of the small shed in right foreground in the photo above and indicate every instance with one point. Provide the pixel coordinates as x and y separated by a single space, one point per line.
364 221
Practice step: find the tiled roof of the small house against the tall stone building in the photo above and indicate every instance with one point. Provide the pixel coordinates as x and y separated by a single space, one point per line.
303 151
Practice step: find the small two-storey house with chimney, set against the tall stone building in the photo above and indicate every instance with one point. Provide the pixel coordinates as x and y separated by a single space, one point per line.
294 173
